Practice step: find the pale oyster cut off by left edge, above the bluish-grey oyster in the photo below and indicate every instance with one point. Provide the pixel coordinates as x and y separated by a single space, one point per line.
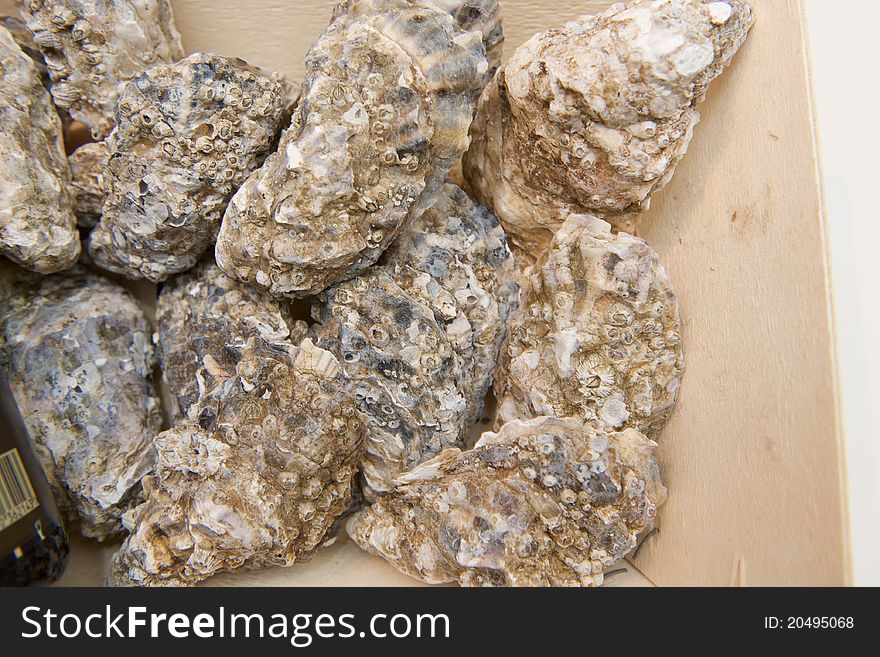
37 224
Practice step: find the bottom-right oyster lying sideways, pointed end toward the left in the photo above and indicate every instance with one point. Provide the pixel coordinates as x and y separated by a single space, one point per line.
546 502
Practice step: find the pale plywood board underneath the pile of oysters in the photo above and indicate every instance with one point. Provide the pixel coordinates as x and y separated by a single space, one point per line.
753 455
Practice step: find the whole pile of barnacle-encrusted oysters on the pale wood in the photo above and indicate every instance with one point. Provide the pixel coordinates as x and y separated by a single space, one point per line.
240 197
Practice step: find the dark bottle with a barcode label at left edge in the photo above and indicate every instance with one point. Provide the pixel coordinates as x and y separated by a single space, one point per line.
33 543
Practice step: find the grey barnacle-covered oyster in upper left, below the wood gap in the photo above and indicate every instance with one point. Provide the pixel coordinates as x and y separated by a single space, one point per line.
188 135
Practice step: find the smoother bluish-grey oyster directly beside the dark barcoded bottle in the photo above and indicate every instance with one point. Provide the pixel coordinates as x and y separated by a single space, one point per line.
80 357
